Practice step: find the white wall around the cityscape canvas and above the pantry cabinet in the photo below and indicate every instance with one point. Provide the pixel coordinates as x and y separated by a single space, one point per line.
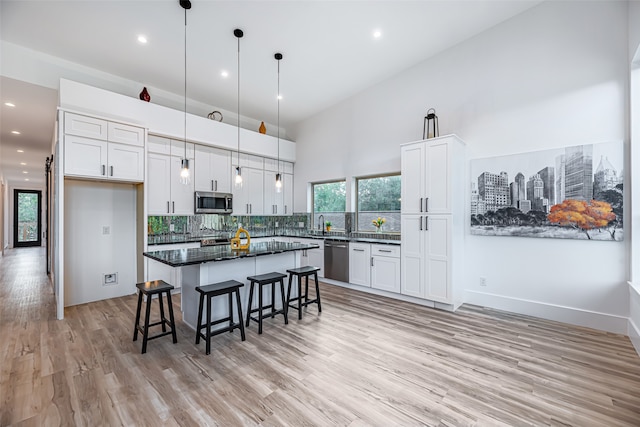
552 77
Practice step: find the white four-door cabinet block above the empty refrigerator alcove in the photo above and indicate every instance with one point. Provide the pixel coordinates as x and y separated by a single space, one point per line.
96 148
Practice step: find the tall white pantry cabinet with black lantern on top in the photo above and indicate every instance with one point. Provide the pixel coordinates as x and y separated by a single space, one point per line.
433 199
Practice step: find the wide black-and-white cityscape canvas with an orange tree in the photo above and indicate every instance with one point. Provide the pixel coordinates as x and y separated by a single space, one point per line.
567 193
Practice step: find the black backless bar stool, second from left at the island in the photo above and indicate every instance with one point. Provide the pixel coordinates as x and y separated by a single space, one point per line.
209 291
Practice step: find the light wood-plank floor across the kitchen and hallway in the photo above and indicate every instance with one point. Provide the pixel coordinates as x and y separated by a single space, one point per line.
366 360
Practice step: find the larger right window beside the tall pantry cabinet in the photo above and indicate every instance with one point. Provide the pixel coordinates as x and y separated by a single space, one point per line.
378 196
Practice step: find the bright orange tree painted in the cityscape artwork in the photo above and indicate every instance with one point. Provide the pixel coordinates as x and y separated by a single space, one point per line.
582 215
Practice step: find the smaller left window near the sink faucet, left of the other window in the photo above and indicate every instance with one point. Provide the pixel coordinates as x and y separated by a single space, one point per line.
330 201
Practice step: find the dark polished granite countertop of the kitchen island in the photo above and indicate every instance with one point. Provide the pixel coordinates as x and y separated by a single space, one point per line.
181 257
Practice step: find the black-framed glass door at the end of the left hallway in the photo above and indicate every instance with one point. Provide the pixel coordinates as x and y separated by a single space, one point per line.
27 218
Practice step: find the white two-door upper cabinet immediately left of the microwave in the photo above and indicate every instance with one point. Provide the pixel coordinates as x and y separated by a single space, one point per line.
166 194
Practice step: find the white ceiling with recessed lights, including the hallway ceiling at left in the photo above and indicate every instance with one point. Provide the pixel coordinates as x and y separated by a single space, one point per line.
329 53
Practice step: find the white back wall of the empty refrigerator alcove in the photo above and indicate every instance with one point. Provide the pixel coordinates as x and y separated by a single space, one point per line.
89 253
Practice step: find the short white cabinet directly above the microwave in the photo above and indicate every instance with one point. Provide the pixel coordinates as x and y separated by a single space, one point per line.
213 171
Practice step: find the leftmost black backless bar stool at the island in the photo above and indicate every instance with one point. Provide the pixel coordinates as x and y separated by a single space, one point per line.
156 287
